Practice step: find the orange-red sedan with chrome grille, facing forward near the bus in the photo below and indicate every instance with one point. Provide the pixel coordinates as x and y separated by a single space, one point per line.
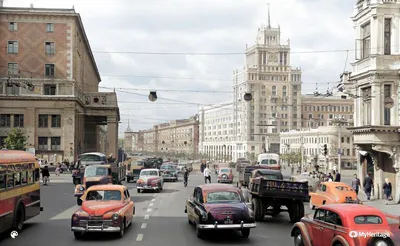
104 208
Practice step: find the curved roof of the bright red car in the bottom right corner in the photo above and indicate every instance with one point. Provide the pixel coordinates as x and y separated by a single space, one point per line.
344 209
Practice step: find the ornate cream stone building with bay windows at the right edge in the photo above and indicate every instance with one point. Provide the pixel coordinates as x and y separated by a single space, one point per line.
375 79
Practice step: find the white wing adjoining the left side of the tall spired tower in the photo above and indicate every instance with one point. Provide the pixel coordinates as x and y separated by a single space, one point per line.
217 133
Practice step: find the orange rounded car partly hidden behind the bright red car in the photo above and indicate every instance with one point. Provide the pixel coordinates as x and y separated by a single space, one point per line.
333 192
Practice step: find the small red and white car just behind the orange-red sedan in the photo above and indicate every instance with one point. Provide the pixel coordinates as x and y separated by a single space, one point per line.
150 179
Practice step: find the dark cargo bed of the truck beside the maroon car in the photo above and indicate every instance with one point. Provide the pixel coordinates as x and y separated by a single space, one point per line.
279 189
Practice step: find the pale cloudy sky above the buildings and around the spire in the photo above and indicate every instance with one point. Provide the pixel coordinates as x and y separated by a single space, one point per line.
320 32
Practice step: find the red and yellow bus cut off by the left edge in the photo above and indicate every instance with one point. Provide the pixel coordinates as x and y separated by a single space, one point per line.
19 189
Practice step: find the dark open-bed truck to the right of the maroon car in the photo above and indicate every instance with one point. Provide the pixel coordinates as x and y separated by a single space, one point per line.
269 195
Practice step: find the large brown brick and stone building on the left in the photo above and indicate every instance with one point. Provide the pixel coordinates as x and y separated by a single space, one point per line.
49 84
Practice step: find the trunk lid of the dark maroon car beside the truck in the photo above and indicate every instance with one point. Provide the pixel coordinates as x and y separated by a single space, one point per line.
237 211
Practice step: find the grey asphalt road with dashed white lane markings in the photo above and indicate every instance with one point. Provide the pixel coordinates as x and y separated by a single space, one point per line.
160 220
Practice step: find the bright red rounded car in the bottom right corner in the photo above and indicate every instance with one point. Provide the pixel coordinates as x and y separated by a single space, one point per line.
344 224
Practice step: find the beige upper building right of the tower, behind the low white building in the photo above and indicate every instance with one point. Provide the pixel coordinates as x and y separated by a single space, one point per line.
321 111
